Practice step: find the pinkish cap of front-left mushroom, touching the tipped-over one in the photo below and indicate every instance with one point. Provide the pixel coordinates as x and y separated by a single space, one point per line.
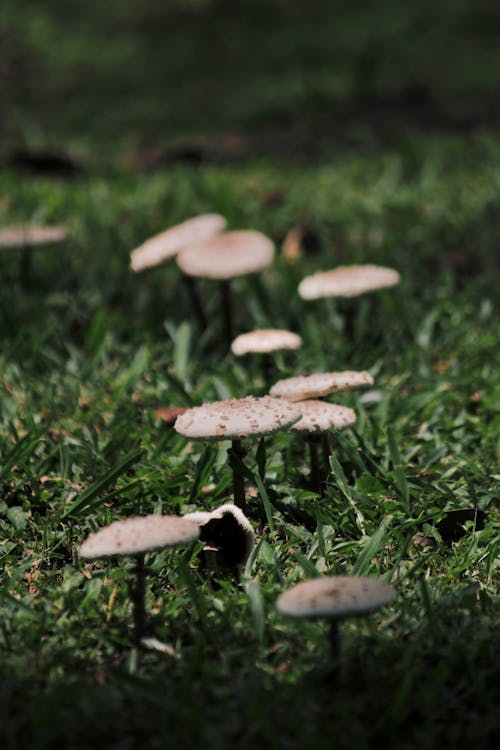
141 534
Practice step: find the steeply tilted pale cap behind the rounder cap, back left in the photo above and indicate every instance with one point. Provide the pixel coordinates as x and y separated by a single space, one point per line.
167 244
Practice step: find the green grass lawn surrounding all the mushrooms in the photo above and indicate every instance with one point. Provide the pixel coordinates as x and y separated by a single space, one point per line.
376 163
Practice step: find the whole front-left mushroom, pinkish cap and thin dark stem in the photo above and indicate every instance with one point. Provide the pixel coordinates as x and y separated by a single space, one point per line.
135 537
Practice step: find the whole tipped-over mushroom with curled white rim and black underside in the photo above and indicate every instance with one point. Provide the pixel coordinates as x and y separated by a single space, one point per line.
227 533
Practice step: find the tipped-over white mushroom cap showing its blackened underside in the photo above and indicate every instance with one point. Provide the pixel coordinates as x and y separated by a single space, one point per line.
236 540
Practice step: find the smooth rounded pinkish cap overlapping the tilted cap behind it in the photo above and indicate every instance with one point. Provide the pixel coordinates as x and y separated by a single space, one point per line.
228 255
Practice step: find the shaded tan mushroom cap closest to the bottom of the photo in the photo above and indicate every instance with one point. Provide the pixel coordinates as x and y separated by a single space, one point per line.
335 597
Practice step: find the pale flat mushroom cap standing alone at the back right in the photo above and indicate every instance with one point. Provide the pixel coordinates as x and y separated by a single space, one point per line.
347 281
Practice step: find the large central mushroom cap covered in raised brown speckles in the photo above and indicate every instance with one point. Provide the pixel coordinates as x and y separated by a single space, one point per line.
237 418
